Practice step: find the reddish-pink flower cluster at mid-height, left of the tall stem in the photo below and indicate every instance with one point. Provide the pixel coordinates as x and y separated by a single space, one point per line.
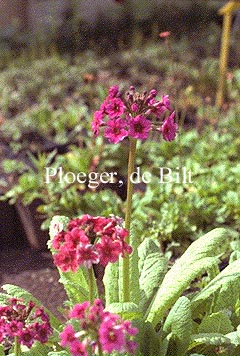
90 240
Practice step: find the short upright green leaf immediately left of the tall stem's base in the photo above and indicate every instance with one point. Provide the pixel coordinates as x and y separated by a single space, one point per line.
110 280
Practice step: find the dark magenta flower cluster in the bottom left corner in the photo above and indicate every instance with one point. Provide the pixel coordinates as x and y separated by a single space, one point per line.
27 322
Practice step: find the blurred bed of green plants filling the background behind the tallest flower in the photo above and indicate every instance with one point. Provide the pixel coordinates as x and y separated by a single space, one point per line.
51 85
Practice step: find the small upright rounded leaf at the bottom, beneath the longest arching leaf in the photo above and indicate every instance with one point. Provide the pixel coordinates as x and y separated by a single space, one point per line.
179 324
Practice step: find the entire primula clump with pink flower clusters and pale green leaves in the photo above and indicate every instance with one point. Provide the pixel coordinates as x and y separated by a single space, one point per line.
124 296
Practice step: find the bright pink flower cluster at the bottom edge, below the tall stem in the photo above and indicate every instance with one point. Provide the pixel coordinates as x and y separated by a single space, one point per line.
99 329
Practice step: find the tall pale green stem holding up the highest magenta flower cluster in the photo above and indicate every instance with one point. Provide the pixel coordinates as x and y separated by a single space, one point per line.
126 260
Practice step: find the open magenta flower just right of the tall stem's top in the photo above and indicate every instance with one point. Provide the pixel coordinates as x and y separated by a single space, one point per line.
139 127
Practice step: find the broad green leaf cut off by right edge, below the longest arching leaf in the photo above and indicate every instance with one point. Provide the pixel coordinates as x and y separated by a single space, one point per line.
223 290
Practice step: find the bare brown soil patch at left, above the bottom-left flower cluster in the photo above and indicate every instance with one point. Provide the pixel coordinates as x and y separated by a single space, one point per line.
34 271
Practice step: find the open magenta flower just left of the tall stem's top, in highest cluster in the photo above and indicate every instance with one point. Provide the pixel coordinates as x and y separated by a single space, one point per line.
115 130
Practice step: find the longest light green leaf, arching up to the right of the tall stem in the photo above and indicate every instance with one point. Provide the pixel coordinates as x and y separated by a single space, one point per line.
199 257
